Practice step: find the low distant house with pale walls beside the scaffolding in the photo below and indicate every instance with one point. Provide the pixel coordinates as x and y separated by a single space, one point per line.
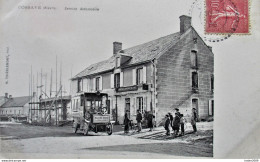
15 106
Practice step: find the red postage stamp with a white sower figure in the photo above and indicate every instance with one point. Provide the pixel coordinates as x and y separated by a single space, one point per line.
227 16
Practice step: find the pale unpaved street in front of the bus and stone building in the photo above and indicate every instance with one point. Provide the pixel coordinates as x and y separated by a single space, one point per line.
26 141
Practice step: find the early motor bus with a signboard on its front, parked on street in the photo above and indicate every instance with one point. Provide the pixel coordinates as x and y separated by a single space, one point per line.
91 112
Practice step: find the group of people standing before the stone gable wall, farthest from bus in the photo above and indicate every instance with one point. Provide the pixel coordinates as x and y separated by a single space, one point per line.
178 122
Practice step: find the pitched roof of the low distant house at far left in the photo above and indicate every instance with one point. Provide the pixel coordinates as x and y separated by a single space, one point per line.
16 102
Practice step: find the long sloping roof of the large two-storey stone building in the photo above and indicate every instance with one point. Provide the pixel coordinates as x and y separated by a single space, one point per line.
139 53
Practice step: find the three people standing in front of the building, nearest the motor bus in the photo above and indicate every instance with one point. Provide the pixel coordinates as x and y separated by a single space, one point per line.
149 117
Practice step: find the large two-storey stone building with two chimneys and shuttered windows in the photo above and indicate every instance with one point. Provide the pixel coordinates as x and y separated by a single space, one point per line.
174 71
